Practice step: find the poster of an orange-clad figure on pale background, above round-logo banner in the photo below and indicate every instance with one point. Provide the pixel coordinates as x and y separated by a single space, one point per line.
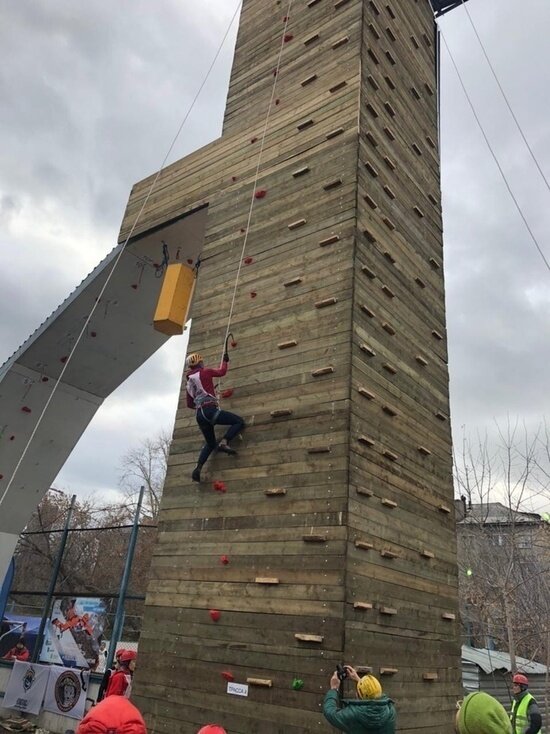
73 634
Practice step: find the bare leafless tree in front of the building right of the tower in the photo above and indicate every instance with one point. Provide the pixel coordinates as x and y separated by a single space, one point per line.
503 546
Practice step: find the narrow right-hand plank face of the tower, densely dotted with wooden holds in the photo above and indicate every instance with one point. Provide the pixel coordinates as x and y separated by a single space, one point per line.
401 549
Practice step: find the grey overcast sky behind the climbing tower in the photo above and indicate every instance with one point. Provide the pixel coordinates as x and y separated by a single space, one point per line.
91 95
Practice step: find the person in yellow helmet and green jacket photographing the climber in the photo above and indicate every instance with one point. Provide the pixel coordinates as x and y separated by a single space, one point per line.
370 713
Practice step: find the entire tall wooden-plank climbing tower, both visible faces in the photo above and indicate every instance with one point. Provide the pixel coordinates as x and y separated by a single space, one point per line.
330 537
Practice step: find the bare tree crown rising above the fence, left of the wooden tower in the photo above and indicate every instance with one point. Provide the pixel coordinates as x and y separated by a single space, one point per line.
145 465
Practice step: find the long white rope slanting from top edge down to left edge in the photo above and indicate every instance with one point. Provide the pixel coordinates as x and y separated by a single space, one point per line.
117 259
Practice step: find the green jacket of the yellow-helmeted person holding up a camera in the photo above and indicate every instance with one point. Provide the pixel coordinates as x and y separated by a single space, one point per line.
360 716
